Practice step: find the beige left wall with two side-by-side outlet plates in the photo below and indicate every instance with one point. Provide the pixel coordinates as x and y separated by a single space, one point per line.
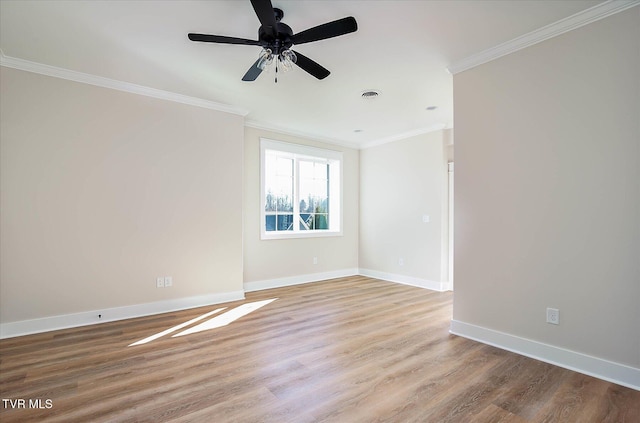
103 191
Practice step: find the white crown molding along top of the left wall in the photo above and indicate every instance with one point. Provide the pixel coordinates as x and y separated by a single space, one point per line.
85 78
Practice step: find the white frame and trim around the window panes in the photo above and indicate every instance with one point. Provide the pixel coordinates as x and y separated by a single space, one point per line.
303 152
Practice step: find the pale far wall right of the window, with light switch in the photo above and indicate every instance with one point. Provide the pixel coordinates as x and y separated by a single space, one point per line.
401 182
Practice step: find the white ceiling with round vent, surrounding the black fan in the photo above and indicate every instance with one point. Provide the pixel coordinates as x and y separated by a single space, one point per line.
401 48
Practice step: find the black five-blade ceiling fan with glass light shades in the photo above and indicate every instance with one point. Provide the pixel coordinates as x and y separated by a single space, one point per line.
276 39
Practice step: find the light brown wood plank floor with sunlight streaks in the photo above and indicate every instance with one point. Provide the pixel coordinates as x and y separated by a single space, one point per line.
346 350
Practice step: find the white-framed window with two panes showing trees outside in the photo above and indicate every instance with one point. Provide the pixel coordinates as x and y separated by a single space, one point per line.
301 191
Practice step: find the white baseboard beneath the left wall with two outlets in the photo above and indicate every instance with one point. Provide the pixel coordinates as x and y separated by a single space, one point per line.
46 324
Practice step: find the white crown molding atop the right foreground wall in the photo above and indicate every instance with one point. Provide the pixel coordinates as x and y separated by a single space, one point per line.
587 16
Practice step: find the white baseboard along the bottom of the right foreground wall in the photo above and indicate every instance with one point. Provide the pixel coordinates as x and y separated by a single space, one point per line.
581 363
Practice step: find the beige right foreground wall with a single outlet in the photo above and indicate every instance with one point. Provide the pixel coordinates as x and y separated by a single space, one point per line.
547 145
